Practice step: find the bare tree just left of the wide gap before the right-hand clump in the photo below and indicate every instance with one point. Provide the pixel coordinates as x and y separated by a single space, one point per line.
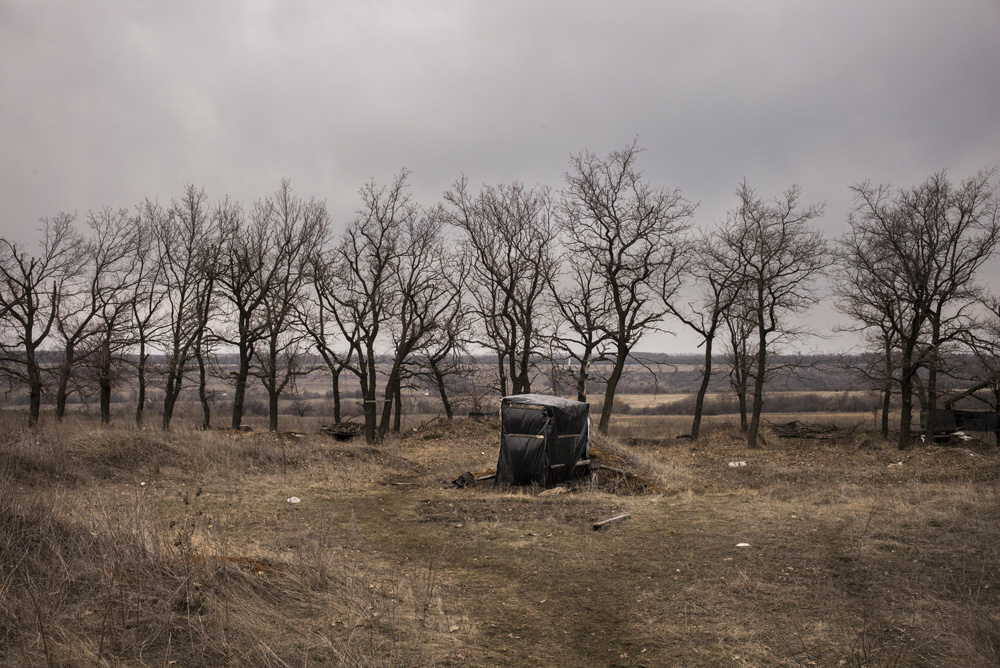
781 255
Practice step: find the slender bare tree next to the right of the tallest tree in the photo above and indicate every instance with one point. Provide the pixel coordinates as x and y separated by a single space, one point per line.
716 271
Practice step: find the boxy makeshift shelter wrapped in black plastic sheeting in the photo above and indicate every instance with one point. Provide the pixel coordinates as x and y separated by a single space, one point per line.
543 440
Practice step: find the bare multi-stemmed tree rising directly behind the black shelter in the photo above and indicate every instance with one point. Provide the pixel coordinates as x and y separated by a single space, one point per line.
509 241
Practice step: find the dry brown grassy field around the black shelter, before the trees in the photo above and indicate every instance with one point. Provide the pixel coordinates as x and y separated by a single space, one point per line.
127 547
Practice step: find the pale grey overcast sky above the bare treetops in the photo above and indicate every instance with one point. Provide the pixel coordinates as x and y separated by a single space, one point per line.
105 103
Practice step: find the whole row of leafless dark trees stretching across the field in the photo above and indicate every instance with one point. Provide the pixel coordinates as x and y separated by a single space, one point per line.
542 279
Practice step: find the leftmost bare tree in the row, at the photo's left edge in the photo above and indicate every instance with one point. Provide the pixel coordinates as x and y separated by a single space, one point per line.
30 290
